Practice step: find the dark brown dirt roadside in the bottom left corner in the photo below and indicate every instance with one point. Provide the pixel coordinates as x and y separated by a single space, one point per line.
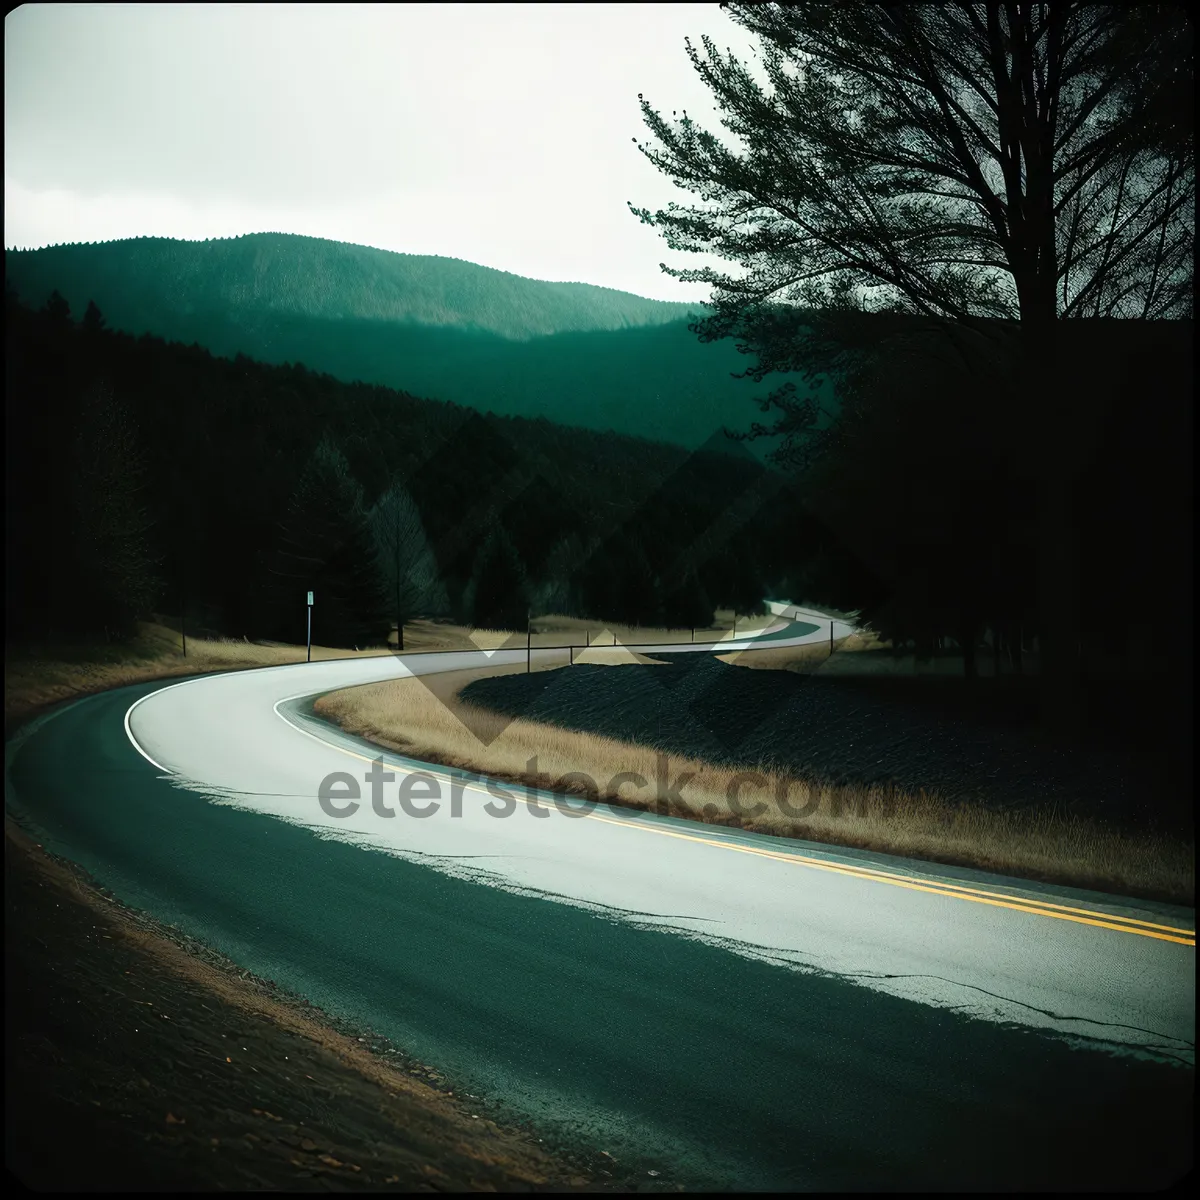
137 1061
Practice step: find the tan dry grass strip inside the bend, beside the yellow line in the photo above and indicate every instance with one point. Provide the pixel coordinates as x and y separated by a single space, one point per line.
429 722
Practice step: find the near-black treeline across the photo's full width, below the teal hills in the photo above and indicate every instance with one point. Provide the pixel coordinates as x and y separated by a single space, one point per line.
147 476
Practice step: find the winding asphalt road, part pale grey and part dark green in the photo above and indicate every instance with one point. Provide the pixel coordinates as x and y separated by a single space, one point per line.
723 1009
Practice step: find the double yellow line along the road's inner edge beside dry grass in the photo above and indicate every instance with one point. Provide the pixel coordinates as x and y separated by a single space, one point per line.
953 891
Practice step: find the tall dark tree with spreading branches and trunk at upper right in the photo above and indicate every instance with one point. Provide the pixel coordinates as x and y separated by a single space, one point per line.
991 170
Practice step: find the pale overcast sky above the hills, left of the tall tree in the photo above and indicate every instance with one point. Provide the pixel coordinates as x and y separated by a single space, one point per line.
496 134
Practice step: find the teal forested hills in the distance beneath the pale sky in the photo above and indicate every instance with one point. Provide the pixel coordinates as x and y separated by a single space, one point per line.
573 353
